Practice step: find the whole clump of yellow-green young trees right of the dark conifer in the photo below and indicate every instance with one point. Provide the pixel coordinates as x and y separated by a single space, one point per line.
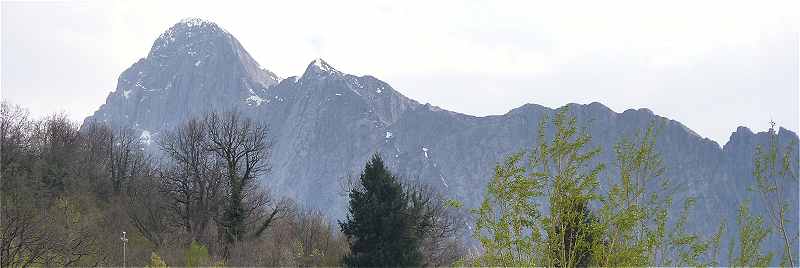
631 227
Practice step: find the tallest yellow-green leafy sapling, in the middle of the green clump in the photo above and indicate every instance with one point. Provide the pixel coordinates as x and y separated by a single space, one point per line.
571 180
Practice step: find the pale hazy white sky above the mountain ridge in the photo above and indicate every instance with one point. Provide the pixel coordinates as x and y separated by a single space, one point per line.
710 65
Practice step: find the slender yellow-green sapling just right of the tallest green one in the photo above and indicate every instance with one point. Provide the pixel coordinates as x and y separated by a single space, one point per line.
629 214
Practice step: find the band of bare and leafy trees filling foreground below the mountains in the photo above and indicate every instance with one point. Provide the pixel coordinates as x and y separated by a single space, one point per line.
70 197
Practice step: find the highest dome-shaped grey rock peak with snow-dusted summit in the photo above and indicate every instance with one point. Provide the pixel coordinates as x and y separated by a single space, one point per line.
193 67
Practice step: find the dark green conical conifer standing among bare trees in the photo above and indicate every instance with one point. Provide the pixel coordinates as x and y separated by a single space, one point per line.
380 226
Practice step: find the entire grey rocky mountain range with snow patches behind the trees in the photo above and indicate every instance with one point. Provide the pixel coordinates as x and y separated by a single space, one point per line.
325 124
